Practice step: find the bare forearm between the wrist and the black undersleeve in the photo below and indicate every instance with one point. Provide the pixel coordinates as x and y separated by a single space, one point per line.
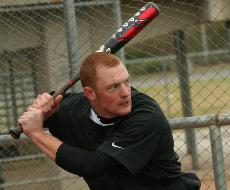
47 143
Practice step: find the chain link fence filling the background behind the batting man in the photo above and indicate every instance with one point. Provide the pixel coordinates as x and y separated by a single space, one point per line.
182 60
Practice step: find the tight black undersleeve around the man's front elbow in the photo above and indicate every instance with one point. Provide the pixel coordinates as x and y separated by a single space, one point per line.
85 163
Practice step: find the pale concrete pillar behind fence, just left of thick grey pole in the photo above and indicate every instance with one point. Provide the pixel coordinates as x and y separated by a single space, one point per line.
56 56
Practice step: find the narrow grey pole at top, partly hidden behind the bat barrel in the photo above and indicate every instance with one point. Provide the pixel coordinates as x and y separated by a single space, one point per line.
118 16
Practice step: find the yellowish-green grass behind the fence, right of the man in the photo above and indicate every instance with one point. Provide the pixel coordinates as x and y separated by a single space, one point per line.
208 96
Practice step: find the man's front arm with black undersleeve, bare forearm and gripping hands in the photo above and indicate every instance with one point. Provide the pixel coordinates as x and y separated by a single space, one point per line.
72 159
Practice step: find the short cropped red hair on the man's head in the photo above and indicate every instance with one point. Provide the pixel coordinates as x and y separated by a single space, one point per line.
88 74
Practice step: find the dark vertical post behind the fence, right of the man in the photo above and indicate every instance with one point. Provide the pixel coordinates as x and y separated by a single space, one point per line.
182 68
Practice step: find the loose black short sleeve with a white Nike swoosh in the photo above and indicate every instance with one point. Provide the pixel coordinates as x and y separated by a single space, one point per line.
137 139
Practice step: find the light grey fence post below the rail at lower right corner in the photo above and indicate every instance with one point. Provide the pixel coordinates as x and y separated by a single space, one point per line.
217 157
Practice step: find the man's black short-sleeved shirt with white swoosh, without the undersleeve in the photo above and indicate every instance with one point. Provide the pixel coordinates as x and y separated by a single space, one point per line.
140 141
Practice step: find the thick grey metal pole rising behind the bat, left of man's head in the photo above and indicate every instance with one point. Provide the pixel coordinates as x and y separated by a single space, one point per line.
71 34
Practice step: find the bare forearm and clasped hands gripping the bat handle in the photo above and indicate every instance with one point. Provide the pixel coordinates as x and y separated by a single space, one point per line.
32 123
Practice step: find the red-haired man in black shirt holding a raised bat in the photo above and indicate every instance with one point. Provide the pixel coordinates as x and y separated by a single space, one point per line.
112 135
